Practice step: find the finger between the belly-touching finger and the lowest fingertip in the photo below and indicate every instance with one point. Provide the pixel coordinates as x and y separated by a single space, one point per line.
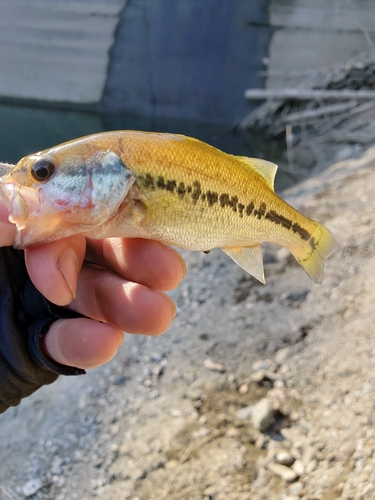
132 307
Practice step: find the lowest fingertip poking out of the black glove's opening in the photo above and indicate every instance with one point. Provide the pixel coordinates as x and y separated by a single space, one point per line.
82 342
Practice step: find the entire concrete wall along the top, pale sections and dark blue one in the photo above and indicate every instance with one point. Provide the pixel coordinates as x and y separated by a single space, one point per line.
187 59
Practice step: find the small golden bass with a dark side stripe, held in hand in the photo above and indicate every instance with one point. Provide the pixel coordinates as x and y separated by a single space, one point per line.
161 186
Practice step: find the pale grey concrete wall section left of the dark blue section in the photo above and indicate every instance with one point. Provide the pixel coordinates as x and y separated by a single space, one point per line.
56 50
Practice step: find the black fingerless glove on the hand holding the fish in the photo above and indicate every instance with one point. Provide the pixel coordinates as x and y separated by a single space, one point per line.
25 316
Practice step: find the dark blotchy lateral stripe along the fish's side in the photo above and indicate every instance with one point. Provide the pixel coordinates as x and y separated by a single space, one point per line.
224 200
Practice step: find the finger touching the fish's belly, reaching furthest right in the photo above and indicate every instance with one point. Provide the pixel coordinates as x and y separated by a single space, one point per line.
147 262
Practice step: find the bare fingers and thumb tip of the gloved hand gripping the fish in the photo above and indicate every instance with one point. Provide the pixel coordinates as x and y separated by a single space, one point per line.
119 290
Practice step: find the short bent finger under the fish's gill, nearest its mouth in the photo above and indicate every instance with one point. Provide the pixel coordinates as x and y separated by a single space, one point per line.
54 268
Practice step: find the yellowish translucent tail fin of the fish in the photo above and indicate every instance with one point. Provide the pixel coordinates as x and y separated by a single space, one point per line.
319 247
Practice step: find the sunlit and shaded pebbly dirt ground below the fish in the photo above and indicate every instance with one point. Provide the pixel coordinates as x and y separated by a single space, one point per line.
256 392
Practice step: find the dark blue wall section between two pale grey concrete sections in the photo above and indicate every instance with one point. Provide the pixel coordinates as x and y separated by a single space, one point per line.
187 59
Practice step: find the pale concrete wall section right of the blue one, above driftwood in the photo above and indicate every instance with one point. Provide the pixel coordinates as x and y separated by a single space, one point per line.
315 34
